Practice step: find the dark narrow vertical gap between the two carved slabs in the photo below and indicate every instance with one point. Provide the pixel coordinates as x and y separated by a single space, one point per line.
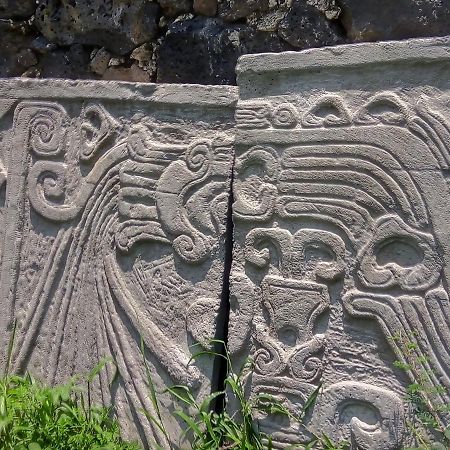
220 368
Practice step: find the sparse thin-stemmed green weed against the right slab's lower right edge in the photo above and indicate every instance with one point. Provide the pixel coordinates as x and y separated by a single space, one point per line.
427 427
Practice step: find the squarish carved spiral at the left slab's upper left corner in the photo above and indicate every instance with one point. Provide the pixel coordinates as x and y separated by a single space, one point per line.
46 132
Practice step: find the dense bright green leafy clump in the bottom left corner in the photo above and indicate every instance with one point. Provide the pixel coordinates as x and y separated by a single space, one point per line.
34 416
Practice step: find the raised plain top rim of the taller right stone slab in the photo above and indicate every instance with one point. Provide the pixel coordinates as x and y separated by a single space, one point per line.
349 55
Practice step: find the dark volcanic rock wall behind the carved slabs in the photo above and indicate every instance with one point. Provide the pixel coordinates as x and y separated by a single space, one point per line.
191 41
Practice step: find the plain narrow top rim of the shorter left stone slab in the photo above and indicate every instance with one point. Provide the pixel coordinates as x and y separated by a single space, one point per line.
180 94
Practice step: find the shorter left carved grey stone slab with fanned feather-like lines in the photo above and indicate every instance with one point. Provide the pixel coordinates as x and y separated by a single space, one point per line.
114 210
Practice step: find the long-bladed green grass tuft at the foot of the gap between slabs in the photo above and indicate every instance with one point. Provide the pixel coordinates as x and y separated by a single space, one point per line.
211 430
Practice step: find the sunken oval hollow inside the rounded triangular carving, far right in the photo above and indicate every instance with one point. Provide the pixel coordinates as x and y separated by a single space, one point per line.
399 250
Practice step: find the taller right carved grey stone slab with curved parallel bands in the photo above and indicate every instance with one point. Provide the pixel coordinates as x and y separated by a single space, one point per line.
341 244
